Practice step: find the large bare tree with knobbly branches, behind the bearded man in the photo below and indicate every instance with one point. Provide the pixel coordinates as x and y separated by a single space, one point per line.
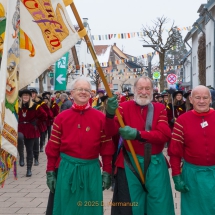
154 35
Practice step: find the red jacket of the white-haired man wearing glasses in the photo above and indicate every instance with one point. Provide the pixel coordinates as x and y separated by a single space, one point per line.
79 134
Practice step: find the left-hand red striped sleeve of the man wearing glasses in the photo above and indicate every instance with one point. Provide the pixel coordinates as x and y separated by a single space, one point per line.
53 146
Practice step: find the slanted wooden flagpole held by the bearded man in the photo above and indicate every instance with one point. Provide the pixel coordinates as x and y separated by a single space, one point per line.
109 93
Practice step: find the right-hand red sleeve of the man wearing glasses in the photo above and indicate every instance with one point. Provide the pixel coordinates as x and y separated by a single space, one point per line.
106 151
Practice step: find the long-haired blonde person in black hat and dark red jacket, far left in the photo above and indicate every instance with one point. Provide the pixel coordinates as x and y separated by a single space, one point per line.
28 132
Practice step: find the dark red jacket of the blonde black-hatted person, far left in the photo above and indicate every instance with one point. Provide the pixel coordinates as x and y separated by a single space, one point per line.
28 124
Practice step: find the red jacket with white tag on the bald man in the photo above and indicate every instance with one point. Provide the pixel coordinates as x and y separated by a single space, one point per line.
192 142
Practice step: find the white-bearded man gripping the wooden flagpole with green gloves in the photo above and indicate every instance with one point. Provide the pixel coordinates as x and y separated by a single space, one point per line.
145 122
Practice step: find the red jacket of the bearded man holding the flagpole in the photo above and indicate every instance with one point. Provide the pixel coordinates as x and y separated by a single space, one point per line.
134 116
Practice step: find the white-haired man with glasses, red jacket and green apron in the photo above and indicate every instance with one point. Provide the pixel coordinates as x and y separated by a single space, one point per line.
78 138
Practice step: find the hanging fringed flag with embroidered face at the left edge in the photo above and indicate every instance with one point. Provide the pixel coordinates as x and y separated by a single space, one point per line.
9 70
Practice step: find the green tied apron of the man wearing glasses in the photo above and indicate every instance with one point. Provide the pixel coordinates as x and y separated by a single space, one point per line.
79 187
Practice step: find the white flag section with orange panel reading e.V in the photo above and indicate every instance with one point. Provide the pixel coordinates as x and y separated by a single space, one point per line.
46 34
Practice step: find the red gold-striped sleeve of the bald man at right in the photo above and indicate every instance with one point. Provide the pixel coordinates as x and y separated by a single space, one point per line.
175 150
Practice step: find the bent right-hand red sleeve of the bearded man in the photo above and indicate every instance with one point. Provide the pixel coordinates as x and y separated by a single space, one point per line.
161 133
